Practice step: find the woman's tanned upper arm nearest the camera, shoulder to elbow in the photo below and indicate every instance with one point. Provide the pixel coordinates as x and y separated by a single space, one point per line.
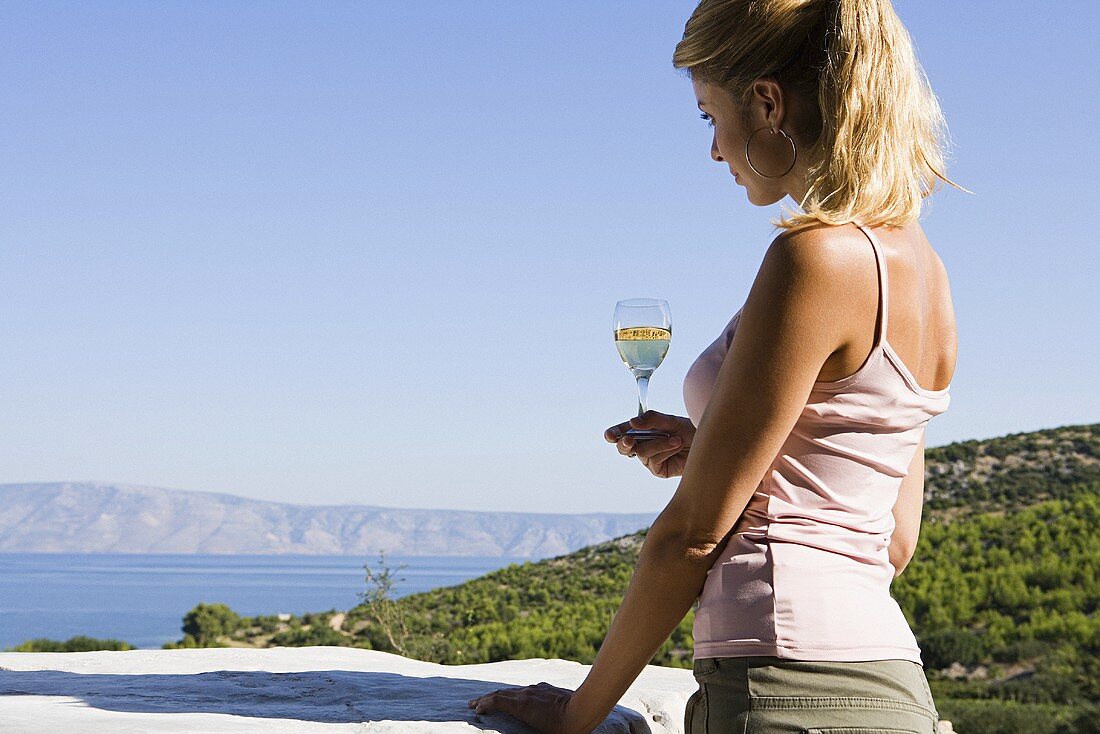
788 330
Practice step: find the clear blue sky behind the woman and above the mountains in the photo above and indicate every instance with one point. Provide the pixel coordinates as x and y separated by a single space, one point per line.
353 253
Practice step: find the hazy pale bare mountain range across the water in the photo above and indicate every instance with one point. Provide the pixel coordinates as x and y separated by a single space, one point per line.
124 519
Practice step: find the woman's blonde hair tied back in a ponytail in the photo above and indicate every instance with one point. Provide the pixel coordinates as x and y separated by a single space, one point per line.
877 149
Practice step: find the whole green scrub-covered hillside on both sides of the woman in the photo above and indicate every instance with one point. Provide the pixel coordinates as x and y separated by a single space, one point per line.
1003 594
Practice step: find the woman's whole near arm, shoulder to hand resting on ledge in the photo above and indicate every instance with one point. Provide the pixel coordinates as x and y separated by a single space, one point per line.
789 327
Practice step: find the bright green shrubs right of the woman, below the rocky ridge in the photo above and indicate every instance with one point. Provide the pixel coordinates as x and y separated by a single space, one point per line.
1005 607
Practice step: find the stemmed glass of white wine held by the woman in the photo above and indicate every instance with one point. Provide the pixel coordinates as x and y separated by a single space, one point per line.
643 333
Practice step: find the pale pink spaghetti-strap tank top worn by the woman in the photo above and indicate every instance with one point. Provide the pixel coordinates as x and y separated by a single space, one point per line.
806 574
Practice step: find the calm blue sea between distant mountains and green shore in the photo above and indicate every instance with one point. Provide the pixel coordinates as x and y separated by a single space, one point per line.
142 599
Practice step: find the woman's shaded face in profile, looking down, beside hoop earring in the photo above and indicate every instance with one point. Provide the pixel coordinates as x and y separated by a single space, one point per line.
772 154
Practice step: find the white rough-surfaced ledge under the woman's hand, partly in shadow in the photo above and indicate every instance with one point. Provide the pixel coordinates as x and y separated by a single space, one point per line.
295 689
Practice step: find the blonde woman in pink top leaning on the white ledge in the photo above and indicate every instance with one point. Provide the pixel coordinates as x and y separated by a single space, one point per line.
801 489
